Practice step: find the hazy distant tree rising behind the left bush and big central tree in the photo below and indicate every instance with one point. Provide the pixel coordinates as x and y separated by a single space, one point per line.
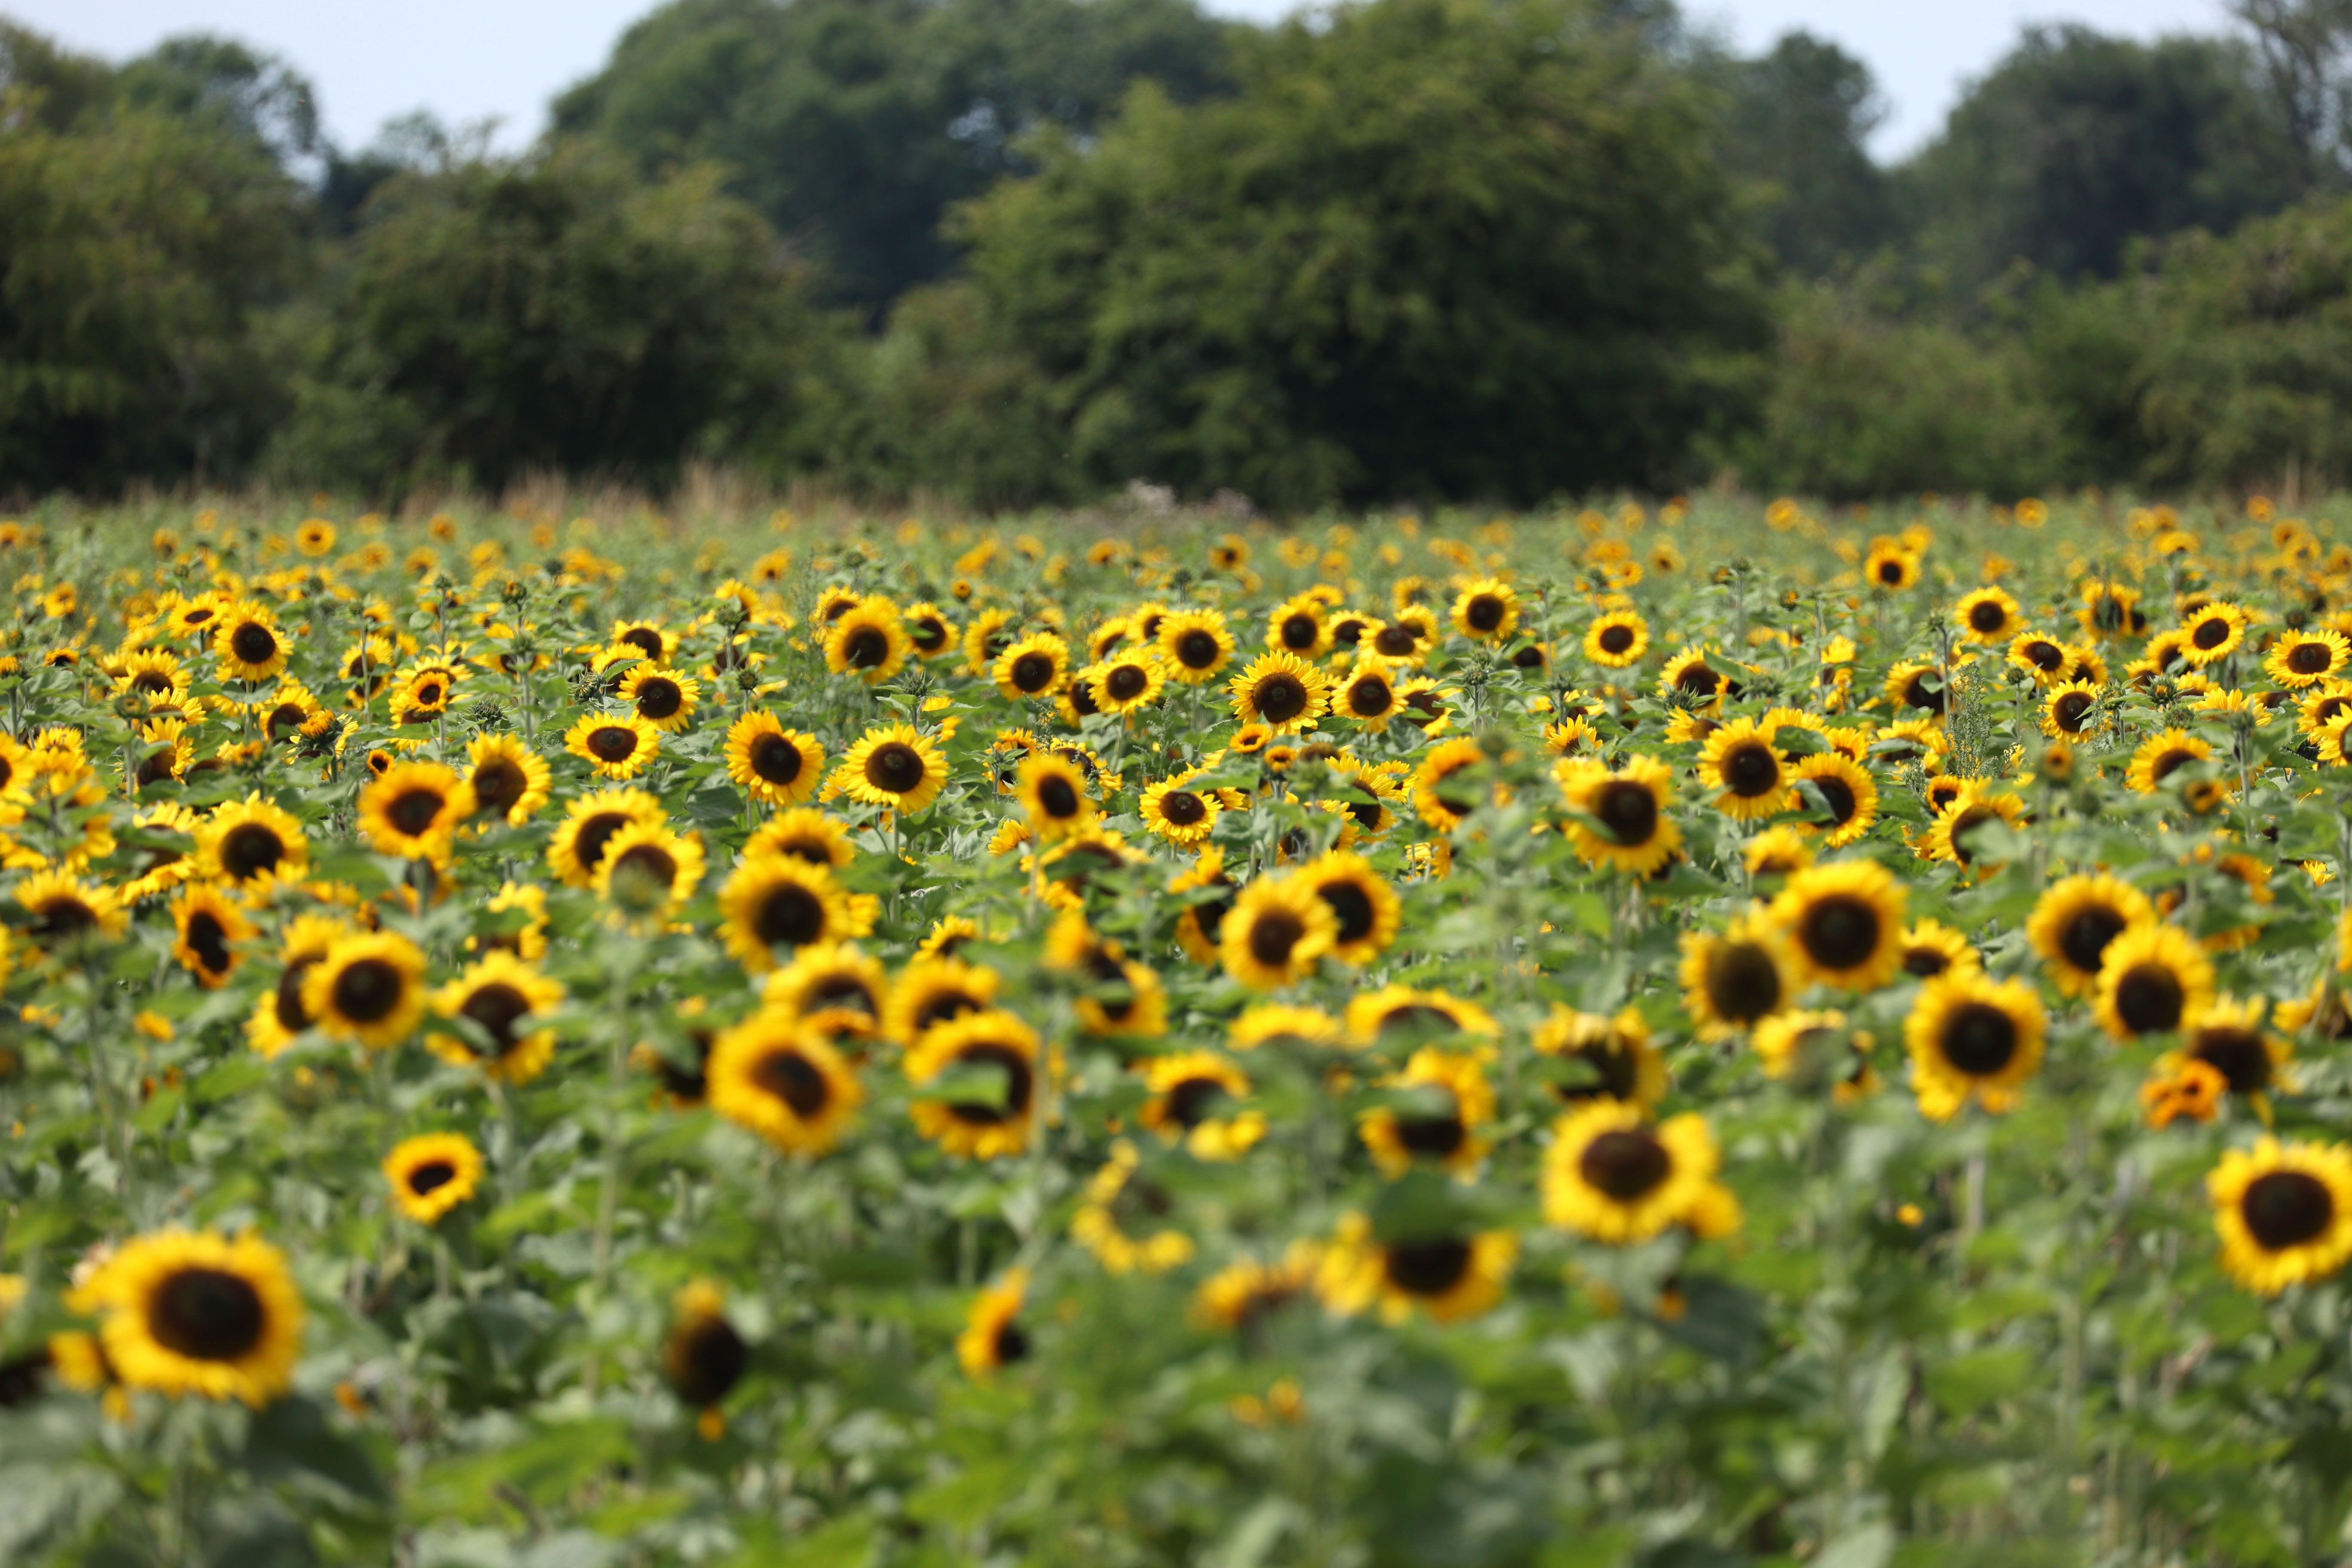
855 123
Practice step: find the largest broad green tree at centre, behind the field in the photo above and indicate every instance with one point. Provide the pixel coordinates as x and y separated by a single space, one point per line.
1441 248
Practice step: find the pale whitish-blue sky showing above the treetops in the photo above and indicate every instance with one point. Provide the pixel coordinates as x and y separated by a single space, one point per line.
469 60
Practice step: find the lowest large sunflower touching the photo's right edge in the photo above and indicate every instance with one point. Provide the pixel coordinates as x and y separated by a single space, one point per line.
2283 1212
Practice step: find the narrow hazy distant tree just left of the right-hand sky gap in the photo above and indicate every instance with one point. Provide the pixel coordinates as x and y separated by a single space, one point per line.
1796 130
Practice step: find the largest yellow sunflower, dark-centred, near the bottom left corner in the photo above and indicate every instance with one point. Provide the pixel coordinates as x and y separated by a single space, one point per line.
196 1313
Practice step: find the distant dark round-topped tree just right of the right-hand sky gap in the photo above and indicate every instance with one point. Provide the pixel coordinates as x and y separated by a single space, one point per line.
2076 145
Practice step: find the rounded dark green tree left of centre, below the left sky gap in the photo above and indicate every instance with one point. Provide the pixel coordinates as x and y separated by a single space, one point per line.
552 311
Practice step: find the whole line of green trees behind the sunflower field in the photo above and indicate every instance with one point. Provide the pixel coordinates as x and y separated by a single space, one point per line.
1029 250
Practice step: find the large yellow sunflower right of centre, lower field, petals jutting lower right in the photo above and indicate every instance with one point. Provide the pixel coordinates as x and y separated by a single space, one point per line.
1612 1179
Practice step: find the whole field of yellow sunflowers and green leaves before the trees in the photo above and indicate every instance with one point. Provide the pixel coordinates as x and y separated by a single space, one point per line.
1669 1036
